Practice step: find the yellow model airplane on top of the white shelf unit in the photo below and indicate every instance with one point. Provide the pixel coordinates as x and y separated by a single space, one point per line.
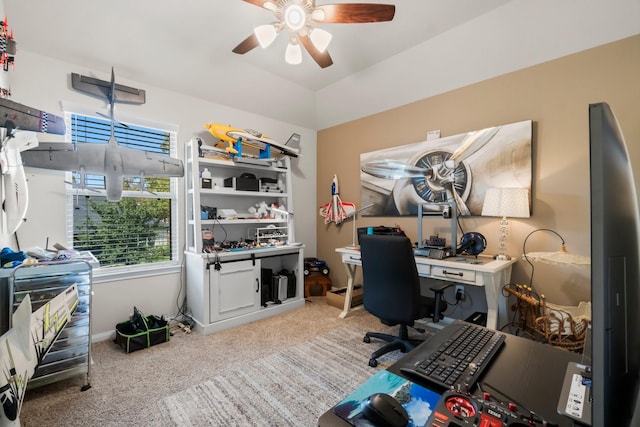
236 138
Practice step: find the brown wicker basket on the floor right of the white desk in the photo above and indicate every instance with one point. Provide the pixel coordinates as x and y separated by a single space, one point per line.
550 323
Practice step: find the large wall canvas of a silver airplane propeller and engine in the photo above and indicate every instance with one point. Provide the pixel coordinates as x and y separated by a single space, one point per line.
459 167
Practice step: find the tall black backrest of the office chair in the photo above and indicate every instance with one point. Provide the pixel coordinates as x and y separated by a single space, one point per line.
390 278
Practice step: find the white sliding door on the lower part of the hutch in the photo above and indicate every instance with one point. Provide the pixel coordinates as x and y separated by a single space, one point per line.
235 289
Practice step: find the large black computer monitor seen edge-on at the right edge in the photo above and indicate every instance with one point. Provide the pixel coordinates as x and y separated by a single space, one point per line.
615 277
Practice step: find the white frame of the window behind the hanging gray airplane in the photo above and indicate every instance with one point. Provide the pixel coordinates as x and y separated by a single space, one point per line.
129 271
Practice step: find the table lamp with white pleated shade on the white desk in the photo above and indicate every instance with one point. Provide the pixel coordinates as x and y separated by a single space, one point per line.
506 202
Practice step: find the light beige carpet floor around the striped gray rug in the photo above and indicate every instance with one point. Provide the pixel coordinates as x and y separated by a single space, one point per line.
136 389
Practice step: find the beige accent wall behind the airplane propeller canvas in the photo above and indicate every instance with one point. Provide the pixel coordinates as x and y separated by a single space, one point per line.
555 95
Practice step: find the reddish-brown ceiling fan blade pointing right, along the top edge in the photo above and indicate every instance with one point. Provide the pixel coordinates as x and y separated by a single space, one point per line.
355 13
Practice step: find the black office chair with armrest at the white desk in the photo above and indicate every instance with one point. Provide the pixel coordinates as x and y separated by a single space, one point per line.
392 291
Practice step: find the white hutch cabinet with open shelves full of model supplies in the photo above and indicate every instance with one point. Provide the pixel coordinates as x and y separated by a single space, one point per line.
235 246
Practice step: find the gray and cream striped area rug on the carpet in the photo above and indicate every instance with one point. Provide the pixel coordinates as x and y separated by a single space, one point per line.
293 387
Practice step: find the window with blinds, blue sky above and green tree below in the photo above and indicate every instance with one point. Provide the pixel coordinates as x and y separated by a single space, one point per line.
141 228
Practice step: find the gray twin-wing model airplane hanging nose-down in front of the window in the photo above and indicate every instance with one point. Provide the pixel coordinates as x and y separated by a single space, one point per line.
111 160
